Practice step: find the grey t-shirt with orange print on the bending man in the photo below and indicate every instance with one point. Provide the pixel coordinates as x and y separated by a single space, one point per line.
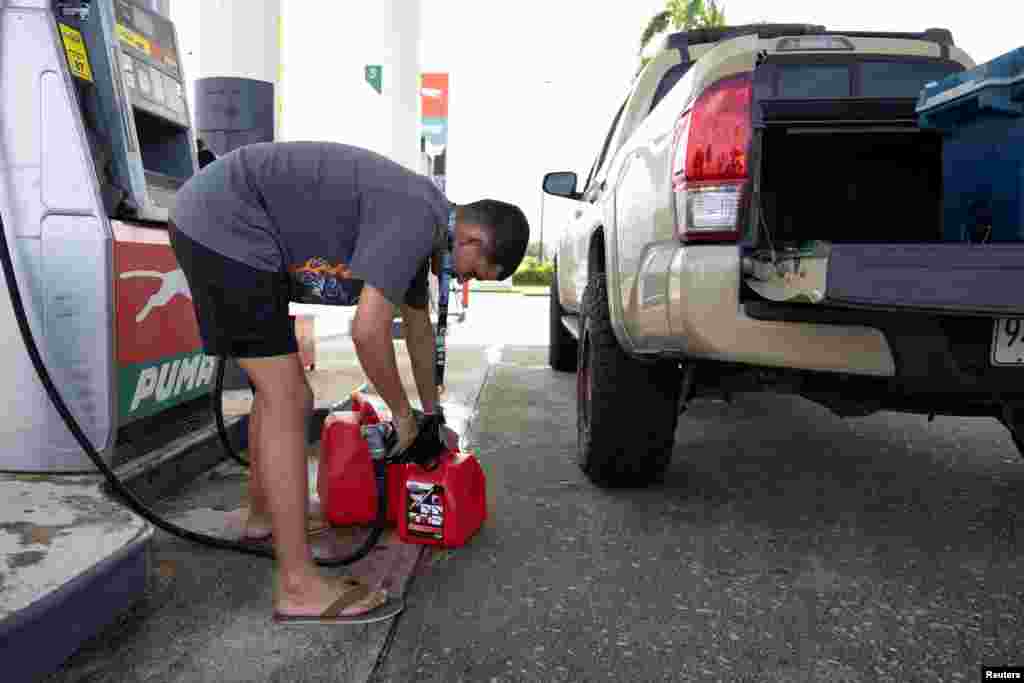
338 217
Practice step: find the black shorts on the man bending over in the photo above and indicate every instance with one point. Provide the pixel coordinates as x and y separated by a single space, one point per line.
242 312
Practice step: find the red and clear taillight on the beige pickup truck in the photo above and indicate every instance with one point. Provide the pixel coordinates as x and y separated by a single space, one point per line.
709 165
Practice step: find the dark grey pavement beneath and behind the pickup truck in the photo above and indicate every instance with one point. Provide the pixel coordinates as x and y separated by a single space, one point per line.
787 545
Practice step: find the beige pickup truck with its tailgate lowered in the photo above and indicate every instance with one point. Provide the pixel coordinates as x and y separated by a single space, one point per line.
765 214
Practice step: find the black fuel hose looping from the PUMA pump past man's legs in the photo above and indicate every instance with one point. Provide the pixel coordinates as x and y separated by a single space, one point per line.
127 498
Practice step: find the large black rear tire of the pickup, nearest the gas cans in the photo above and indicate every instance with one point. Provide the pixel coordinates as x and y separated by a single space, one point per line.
627 411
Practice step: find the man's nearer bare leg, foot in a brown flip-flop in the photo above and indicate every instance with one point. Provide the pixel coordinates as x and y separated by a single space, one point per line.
284 403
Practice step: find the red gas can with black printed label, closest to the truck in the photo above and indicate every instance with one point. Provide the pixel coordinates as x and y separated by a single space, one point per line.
442 507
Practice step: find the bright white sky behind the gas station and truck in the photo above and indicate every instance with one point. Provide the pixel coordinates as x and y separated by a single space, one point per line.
535 83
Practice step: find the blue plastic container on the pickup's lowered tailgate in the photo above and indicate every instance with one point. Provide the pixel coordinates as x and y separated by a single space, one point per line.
980 114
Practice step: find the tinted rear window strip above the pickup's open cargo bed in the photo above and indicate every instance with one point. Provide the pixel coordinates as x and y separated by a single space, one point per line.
869 78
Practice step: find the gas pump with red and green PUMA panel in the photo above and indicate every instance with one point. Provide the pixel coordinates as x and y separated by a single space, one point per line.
96 141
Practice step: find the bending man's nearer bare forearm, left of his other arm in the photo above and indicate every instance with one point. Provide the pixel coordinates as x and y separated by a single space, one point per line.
372 336
